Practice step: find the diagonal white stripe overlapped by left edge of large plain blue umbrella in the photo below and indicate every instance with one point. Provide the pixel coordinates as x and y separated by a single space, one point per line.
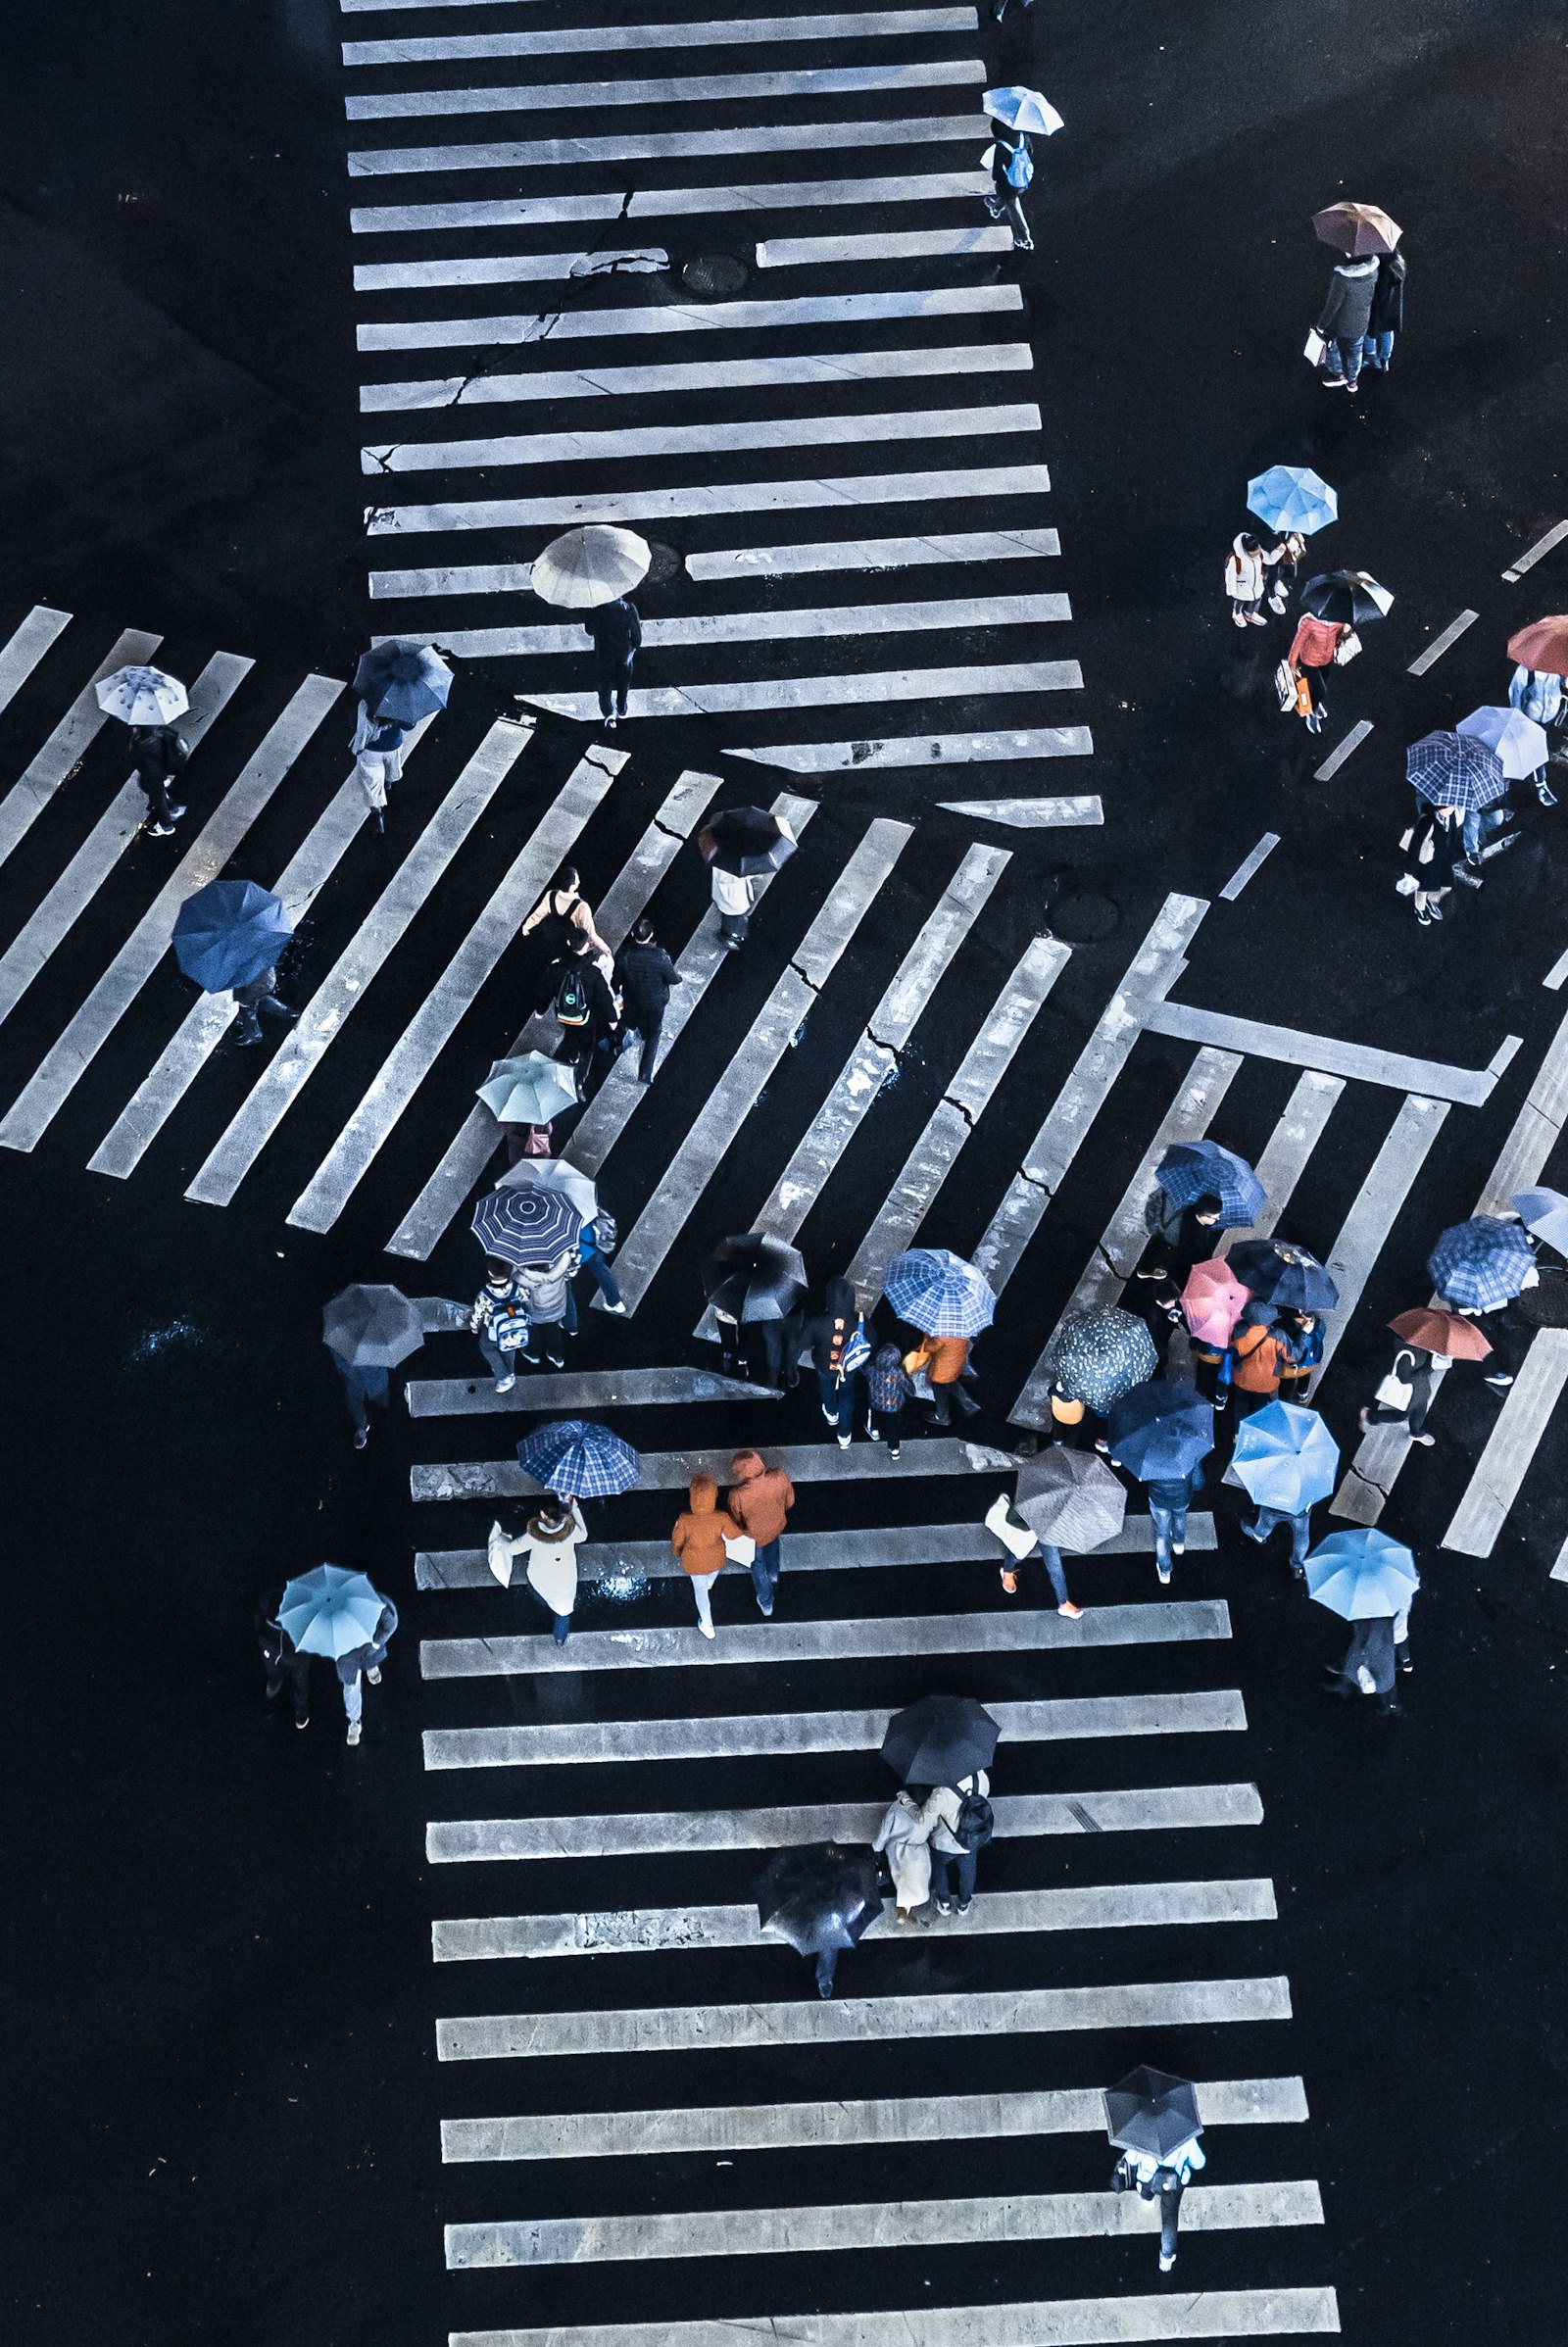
149 942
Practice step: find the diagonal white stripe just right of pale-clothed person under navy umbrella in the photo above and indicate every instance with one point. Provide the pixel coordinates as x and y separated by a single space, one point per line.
367 952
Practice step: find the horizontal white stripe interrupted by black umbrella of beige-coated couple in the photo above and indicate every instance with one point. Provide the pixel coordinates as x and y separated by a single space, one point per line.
579 1745
